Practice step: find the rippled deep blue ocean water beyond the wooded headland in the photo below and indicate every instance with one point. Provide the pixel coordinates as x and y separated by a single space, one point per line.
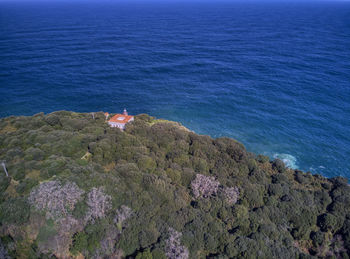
275 76
